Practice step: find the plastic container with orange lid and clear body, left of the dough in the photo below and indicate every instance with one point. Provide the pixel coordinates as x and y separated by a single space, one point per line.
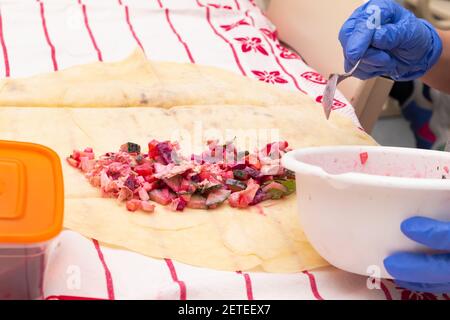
31 215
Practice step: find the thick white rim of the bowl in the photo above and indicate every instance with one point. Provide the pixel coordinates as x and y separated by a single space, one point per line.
290 162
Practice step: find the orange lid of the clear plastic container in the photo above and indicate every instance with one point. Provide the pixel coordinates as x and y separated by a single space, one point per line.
31 193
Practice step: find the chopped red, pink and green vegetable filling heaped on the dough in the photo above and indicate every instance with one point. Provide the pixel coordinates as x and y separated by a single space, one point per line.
203 181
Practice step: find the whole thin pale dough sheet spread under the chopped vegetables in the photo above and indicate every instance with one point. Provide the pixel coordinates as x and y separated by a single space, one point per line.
266 238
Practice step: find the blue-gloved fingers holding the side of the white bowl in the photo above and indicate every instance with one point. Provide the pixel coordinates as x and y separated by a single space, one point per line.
419 271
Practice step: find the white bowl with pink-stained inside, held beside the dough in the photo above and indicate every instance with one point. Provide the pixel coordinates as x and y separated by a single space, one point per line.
352 200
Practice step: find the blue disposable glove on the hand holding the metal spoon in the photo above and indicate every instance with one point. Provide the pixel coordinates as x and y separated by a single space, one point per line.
403 47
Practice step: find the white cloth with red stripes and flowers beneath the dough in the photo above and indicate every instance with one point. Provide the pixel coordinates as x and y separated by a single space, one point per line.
42 36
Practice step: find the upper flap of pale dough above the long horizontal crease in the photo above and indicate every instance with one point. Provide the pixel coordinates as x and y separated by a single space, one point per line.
137 81
